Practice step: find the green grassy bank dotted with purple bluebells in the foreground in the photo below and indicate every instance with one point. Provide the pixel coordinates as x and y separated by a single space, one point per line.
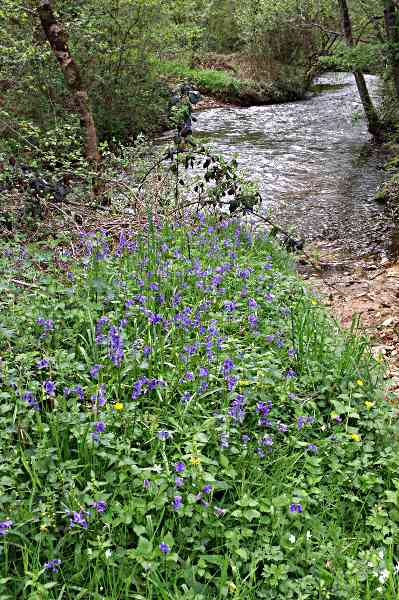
181 419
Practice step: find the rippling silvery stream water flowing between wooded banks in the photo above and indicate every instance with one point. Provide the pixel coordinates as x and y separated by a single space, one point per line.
316 168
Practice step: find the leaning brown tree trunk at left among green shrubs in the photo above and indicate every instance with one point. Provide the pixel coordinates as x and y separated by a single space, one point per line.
58 40
